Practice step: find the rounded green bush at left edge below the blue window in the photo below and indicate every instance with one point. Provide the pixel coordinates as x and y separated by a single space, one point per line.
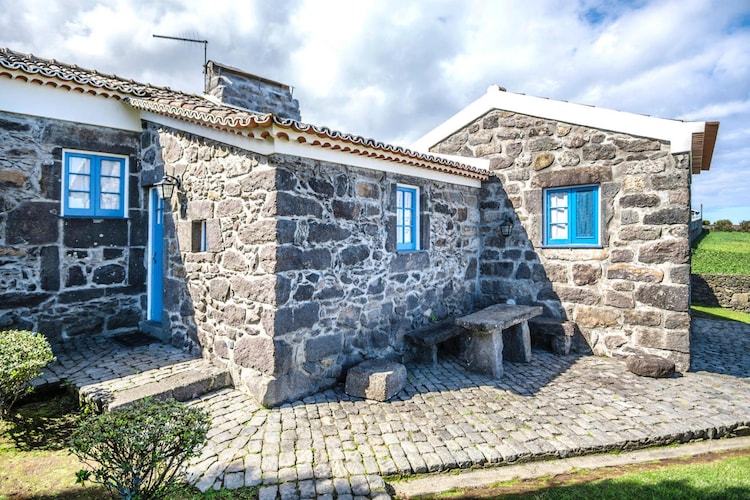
23 354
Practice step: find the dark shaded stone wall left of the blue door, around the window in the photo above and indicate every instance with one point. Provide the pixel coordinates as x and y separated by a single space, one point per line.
61 276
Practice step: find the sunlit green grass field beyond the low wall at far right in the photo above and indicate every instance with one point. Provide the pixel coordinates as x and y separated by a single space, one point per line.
722 253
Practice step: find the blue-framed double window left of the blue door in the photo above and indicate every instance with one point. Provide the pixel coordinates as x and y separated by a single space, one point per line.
93 185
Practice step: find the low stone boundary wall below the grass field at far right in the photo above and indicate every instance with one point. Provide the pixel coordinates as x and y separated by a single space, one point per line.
730 291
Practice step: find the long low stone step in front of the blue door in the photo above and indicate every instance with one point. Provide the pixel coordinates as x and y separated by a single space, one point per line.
182 381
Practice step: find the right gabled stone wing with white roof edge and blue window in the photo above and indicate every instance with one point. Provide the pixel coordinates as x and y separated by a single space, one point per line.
600 201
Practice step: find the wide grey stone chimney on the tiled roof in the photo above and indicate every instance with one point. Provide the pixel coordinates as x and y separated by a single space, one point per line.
254 93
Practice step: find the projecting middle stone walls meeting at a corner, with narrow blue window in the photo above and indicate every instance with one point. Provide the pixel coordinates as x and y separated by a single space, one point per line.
301 278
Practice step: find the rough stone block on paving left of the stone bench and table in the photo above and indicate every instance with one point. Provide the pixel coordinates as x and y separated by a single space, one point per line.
376 379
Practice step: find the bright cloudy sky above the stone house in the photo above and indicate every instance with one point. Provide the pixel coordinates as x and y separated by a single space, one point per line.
395 69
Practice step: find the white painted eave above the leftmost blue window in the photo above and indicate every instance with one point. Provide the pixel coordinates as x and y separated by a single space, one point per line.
18 96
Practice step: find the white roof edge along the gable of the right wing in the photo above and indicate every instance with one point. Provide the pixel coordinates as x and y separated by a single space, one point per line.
677 133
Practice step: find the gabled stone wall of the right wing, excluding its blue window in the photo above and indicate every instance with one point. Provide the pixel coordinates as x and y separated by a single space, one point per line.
631 294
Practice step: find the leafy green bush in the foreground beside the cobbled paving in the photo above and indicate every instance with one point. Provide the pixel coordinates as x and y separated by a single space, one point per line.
138 452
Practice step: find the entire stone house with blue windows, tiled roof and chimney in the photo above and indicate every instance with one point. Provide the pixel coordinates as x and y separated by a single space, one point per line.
291 252
